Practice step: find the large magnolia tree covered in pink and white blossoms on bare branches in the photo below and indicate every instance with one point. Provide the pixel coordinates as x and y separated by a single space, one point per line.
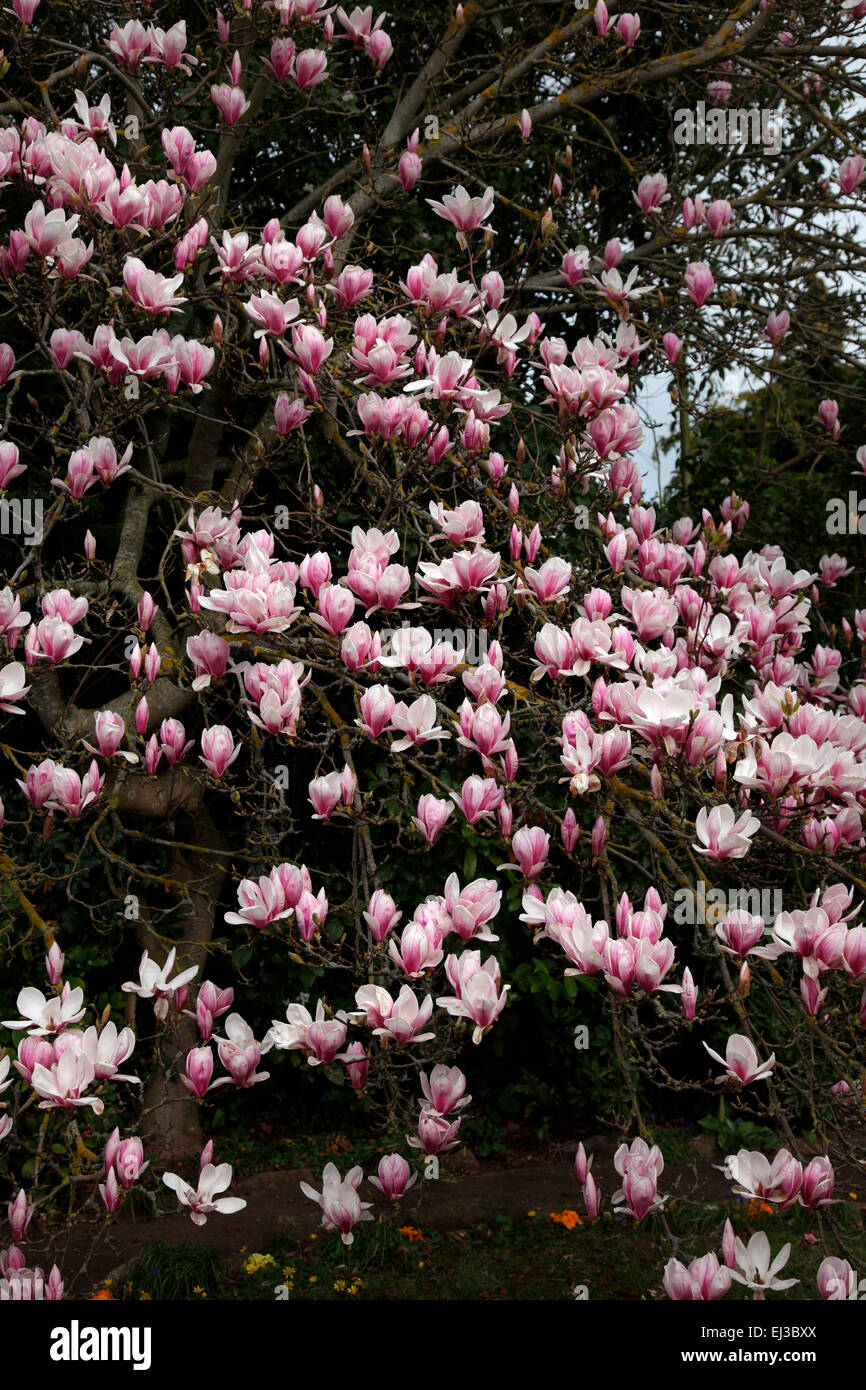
326 551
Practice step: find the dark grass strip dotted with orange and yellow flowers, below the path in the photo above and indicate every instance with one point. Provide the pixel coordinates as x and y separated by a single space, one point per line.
536 1259
